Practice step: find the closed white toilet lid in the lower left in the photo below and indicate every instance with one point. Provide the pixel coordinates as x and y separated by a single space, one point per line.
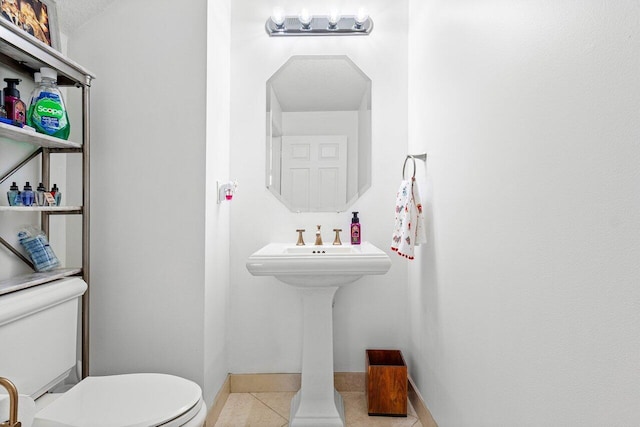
131 400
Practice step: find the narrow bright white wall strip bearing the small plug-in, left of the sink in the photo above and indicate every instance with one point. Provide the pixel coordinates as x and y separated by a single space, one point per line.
216 296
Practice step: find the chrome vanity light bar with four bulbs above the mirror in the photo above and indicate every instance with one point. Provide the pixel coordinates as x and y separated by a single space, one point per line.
306 24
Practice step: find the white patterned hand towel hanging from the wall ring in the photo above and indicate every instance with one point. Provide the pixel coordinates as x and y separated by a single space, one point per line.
409 227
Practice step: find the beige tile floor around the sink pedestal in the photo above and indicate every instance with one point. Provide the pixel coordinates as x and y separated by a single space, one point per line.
272 410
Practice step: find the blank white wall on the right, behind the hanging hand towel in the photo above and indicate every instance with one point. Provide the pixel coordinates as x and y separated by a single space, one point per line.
525 304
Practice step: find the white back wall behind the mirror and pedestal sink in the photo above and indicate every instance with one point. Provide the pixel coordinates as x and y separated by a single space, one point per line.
265 331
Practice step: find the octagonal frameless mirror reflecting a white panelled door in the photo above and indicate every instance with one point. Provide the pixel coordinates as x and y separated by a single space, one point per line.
318 133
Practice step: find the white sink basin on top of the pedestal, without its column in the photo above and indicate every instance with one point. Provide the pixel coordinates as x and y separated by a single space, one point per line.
313 266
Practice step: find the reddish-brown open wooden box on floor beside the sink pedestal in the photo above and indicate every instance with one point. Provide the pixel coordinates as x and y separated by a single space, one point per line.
386 383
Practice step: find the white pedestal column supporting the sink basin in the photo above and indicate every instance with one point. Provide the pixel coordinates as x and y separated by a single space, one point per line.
317 403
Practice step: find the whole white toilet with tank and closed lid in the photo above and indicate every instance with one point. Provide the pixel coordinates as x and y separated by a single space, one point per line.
38 335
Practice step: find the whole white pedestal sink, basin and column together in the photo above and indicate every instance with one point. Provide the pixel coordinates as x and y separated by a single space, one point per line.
318 271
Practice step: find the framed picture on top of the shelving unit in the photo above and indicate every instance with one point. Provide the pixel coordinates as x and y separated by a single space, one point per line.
37 18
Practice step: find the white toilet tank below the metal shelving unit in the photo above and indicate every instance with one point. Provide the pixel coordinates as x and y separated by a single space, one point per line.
38 334
